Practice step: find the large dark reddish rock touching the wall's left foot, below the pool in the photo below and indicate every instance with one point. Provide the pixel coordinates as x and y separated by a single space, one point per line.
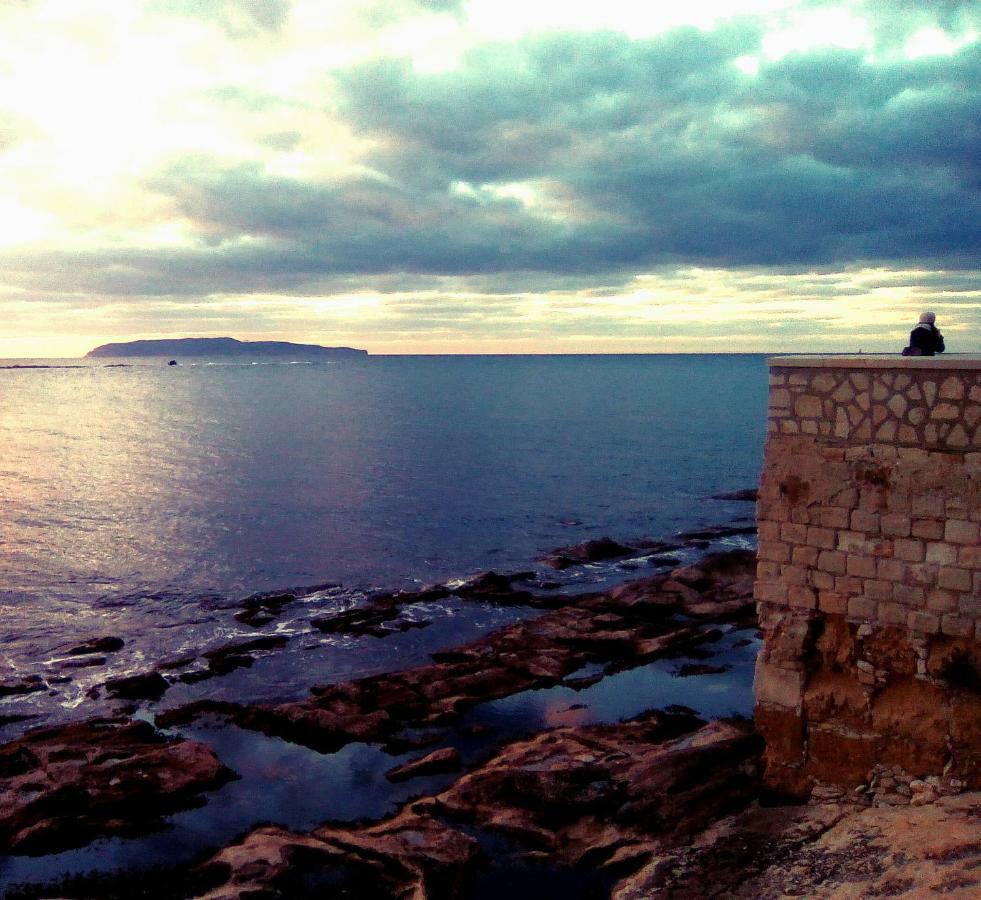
609 794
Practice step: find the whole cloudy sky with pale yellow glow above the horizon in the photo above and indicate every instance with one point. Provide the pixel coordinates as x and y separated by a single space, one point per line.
490 176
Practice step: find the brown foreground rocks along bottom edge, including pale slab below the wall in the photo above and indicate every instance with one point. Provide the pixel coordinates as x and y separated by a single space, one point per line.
663 806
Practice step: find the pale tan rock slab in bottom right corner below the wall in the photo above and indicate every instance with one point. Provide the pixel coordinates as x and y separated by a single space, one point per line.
835 850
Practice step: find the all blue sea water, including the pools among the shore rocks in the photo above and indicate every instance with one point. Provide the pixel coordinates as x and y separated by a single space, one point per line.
147 501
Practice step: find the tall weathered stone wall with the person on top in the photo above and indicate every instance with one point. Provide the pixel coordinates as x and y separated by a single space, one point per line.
869 573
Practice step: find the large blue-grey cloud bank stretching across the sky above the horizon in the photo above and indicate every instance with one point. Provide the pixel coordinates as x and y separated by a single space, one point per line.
650 153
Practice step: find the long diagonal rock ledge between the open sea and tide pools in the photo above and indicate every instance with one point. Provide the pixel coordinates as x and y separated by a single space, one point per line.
633 624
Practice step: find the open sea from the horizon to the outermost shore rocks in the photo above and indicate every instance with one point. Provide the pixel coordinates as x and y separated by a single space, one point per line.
136 499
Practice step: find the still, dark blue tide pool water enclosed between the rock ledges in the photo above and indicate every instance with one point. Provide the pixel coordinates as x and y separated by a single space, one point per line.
299 788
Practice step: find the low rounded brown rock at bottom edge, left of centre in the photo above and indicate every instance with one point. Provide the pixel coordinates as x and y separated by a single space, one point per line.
406 856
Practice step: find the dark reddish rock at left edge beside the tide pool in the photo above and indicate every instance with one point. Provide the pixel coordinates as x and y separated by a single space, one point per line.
63 787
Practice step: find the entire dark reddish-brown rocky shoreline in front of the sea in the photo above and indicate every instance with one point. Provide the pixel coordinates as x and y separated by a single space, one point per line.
663 804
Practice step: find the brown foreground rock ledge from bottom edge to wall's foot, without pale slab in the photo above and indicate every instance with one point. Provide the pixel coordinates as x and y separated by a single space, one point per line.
585 796
